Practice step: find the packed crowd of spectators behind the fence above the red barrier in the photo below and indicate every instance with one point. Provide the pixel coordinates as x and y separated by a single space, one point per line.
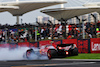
28 32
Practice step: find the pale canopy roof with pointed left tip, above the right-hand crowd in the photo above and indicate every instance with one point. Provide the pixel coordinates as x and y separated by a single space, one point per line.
70 12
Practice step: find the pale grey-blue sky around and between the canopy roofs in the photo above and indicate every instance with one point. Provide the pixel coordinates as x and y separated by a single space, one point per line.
30 17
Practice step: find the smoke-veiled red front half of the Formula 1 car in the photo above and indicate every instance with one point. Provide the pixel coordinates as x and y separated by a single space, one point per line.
37 52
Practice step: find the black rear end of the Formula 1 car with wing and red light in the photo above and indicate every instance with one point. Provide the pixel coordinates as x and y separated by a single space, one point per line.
62 50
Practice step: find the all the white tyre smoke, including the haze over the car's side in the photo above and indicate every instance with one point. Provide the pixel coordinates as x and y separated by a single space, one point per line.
17 54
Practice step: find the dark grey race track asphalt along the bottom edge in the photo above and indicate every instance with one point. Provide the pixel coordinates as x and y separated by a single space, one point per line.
51 63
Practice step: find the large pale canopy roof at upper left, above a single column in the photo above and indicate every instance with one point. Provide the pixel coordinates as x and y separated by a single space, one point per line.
21 7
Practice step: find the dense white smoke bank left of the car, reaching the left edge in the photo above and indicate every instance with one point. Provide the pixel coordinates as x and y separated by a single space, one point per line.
12 54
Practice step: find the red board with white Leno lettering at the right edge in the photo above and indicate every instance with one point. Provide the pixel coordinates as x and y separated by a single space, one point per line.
95 45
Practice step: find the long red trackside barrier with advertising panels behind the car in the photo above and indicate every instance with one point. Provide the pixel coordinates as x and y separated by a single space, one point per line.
84 45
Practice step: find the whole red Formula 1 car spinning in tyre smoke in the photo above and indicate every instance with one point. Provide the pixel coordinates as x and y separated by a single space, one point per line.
60 51
